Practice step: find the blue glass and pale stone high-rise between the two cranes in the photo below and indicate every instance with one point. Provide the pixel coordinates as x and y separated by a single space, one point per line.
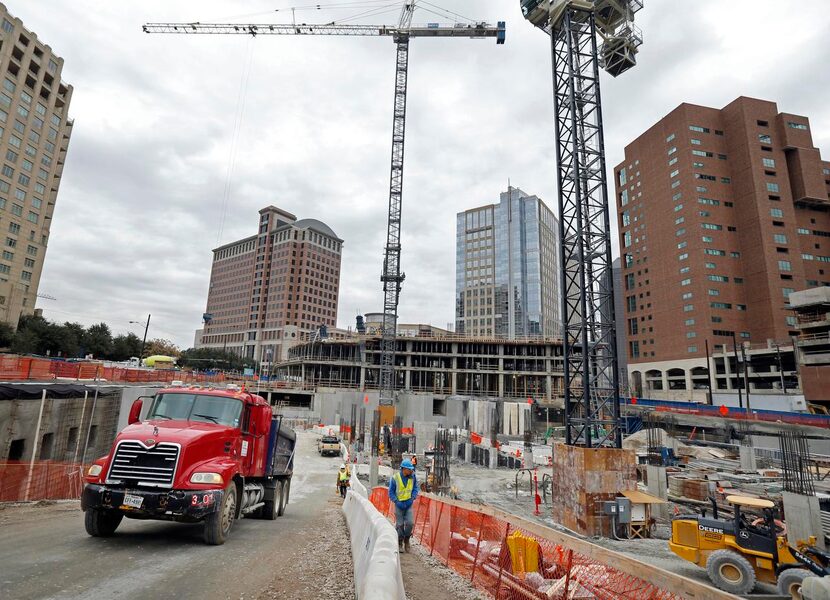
506 277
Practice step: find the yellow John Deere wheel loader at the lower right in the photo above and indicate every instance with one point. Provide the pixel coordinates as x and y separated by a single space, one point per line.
747 548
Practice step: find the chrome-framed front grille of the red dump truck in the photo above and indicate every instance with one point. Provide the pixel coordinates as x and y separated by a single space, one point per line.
136 464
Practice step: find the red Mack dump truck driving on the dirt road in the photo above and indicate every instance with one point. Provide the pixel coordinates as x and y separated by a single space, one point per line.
200 455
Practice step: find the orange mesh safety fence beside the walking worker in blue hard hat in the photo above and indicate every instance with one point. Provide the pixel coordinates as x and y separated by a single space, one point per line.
510 563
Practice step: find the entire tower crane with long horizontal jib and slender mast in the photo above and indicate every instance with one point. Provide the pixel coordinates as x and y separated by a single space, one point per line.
391 276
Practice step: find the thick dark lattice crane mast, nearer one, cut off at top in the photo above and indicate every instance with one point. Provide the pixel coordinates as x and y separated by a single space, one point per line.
592 403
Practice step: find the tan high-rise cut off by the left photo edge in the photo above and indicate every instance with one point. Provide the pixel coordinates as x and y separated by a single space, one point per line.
34 137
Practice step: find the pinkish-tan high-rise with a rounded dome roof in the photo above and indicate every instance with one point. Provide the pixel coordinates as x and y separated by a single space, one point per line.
269 289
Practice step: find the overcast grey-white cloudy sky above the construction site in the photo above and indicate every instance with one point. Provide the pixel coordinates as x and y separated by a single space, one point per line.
164 125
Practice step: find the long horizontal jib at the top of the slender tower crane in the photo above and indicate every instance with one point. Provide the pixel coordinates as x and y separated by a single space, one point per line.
472 31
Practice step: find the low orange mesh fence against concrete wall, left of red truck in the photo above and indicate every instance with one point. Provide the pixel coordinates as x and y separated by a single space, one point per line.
42 481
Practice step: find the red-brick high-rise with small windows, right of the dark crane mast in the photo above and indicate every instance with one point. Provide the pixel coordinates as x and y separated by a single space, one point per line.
722 215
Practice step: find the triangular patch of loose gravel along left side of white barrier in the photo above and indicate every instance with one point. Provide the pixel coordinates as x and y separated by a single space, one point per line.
321 567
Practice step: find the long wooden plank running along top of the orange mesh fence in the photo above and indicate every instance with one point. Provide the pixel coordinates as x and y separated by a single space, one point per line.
665 580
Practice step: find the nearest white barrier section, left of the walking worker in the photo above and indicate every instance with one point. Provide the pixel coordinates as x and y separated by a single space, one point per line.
377 568
